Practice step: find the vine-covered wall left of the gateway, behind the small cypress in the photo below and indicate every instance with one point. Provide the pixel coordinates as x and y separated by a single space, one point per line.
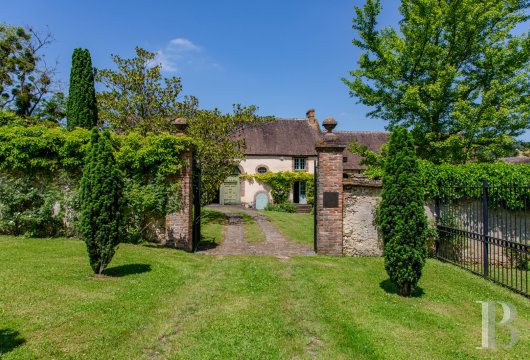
40 168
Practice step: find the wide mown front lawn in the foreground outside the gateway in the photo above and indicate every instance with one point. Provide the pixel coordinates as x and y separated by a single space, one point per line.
161 303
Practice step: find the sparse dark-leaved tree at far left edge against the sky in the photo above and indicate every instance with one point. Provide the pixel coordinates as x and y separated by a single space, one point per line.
25 78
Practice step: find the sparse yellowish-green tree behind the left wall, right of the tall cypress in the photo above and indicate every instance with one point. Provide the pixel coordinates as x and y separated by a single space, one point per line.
137 97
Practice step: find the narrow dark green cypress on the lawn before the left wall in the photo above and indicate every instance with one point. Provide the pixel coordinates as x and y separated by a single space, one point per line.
101 202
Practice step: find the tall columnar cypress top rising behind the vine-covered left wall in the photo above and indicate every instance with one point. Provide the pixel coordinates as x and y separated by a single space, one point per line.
81 108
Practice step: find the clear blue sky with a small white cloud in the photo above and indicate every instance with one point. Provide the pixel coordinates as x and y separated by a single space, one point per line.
283 56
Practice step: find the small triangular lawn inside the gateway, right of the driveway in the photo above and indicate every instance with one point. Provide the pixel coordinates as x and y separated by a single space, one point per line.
296 227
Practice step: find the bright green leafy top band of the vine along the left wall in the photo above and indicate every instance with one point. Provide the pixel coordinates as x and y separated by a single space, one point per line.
44 149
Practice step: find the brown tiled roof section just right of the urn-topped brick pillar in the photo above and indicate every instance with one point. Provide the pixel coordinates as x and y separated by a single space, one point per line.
374 140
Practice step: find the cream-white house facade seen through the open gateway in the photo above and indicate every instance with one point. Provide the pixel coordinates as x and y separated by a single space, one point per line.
250 165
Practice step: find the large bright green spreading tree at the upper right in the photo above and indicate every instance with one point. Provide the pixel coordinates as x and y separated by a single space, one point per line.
454 74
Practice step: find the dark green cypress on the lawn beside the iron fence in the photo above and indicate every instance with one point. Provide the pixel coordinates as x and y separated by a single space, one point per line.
401 215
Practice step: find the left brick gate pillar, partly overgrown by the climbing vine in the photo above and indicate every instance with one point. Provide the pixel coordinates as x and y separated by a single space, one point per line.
179 225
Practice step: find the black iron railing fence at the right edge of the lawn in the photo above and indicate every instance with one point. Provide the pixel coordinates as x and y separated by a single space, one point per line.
484 229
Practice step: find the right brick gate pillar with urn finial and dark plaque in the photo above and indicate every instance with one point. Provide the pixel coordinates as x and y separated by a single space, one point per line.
329 192
